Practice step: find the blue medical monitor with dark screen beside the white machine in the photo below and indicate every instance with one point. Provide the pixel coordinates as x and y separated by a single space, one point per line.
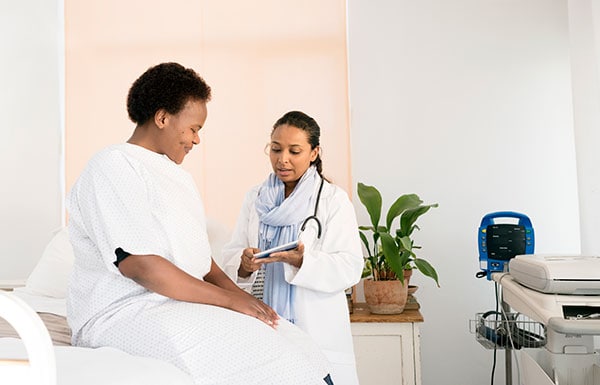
500 241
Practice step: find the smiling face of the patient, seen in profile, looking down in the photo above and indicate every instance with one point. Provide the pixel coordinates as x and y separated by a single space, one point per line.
180 132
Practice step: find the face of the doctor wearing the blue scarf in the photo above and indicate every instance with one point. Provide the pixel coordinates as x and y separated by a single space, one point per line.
290 154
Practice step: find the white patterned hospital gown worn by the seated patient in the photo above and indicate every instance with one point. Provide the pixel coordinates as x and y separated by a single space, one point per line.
142 202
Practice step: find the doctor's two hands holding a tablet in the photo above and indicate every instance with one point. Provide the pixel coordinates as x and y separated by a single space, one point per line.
253 258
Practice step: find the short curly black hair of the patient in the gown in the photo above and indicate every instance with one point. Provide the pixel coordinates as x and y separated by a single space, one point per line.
167 86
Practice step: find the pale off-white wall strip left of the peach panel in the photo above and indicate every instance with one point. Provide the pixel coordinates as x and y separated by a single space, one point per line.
31 190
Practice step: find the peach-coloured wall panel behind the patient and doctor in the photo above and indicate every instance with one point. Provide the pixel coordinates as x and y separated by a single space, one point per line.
261 60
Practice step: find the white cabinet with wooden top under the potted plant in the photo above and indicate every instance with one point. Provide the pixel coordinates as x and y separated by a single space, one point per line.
387 347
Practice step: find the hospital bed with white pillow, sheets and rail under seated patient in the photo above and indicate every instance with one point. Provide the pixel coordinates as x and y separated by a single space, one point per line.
35 337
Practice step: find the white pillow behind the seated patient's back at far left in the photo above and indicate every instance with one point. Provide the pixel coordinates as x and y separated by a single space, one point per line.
50 276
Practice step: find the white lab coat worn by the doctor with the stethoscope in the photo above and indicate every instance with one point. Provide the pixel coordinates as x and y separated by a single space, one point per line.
331 264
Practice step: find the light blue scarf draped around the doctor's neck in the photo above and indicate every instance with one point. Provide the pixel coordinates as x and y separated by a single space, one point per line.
279 222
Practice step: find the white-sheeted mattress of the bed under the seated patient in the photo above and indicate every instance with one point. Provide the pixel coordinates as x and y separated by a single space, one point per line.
102 366
